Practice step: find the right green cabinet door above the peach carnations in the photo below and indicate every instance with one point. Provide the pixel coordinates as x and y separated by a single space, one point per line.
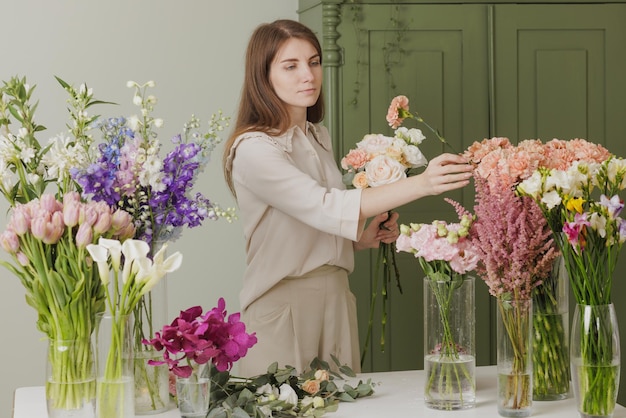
560 72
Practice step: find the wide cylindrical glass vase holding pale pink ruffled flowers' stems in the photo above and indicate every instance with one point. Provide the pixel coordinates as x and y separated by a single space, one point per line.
449 343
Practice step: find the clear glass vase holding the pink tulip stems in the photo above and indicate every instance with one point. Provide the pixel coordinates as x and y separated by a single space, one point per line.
70 379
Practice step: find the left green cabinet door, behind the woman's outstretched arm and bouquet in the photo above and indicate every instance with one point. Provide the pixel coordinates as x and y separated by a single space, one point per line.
436 56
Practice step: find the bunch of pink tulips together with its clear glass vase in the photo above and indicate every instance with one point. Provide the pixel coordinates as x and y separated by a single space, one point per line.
47 240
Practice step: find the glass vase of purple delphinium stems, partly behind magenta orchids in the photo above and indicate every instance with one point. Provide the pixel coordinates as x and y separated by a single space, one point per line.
151 382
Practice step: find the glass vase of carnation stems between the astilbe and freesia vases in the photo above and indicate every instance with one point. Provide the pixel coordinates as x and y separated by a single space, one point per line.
550 343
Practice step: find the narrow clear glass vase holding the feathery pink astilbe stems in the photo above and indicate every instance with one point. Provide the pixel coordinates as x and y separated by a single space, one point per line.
514 360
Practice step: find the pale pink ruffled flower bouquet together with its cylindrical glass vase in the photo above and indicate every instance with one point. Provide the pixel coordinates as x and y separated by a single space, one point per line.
446 255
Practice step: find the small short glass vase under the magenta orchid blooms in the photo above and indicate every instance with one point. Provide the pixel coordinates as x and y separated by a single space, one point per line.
193 393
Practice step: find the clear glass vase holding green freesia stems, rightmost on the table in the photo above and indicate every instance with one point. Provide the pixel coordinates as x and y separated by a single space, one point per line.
595 359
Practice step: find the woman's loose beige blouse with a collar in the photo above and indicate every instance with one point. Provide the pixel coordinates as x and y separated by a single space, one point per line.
297 214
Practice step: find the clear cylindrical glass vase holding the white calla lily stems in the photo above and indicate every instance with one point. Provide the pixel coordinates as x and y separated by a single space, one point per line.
115 389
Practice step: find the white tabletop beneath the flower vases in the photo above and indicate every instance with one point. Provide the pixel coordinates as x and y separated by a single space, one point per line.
398 395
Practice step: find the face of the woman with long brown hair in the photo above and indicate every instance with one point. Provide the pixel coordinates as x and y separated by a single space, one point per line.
296 75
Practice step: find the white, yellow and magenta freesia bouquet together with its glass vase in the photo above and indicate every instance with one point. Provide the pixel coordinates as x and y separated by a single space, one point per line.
580 202
